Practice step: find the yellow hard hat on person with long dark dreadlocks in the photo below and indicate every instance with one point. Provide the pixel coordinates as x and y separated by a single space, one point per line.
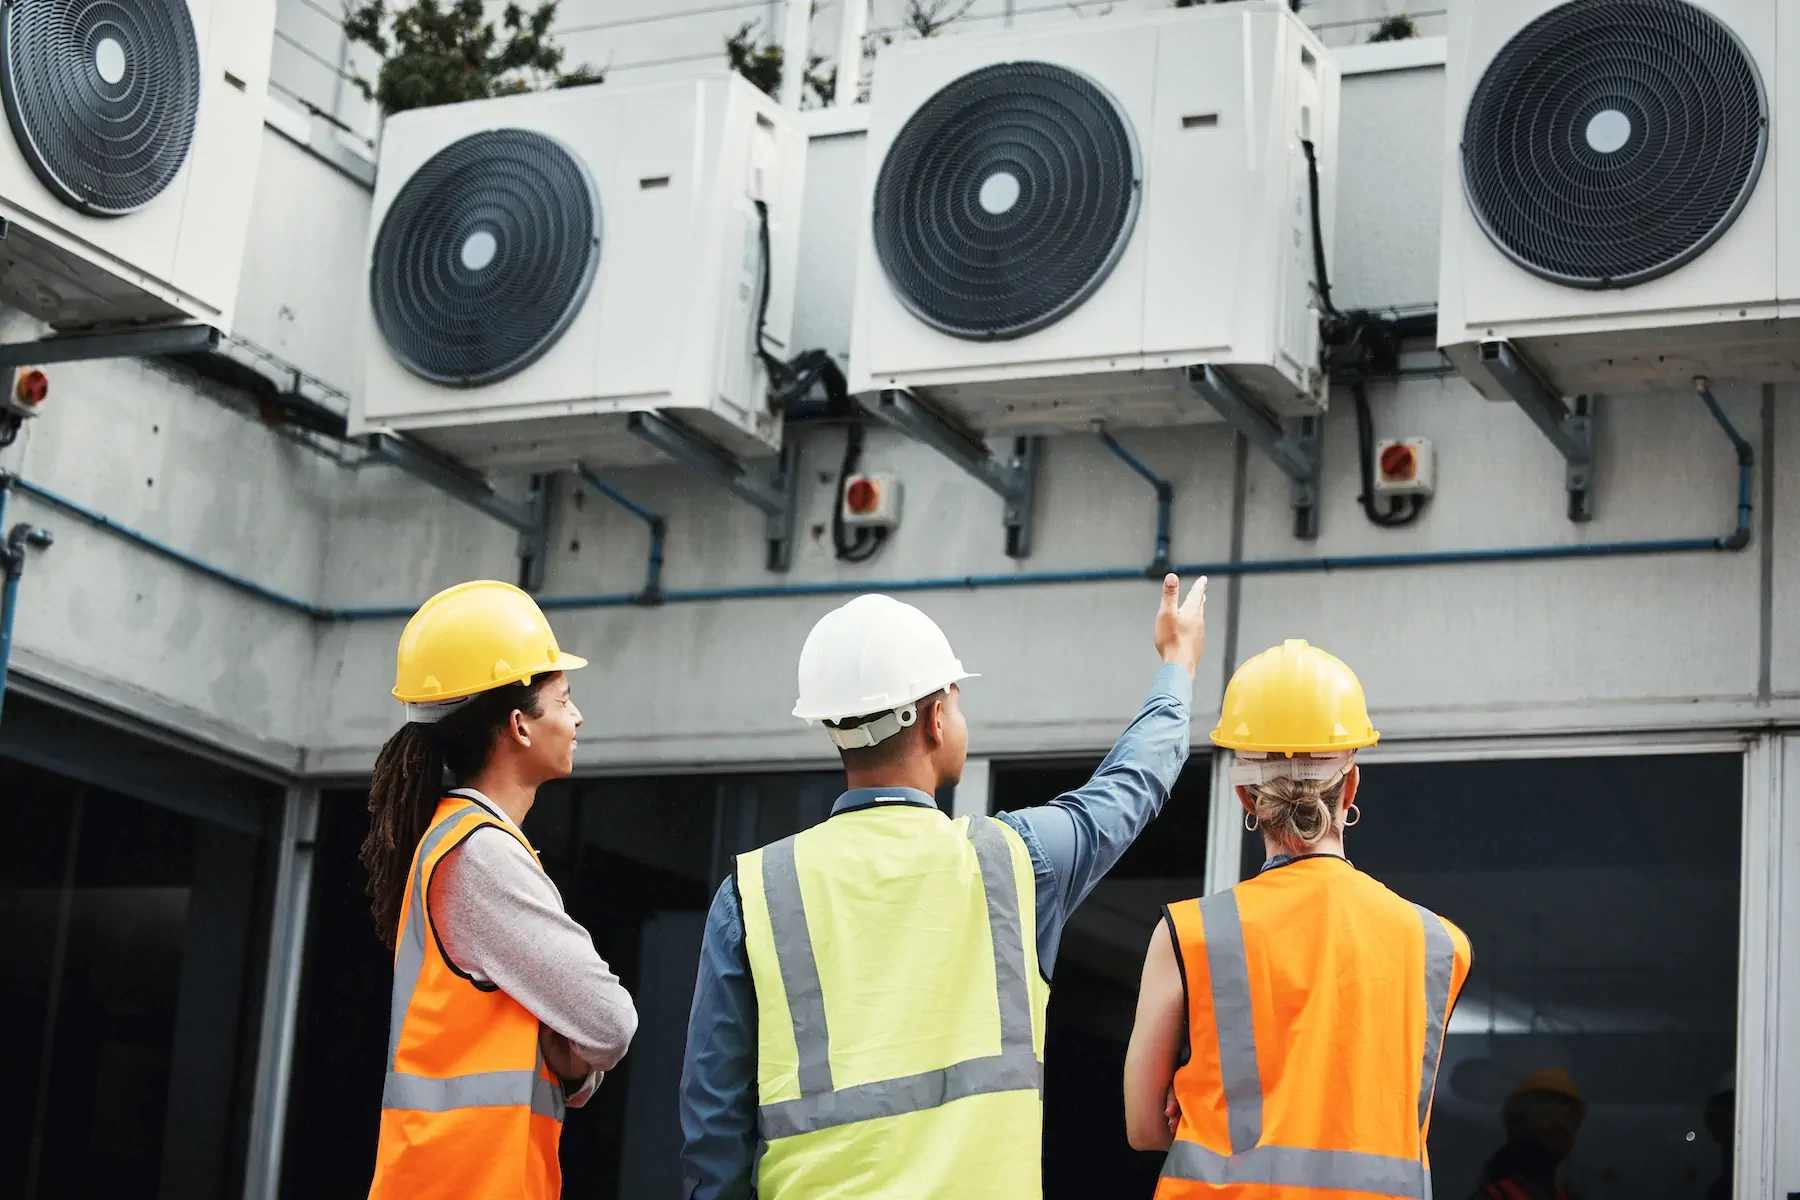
476 638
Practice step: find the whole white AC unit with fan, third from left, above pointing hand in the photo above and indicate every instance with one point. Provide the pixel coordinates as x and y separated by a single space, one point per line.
1065 224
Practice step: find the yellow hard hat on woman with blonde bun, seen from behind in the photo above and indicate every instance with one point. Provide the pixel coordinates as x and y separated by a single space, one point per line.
1295 699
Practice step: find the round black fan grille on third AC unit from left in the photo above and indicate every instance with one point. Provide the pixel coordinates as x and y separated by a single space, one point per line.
1005 201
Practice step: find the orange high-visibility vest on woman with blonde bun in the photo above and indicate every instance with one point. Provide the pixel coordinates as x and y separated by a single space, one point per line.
1317 1014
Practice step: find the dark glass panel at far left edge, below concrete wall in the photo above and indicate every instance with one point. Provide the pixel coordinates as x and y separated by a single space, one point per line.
134 989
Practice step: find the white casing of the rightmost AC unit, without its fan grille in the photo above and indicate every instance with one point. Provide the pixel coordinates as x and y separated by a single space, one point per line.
1720 316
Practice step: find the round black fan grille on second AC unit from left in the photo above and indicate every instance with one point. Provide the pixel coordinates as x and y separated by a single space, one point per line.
485 258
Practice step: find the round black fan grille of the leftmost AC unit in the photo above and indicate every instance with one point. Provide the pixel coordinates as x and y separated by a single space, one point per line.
102 96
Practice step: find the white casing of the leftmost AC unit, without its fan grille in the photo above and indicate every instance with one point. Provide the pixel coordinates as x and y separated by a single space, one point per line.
177 258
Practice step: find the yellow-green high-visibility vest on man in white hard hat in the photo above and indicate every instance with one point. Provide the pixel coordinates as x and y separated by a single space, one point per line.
901 1008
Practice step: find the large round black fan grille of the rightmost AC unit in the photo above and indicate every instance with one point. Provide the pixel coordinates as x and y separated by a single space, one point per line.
1614 141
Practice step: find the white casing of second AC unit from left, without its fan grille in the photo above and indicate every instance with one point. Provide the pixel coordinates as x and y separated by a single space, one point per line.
670 319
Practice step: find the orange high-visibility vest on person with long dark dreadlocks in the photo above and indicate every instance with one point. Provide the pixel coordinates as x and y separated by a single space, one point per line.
469 1107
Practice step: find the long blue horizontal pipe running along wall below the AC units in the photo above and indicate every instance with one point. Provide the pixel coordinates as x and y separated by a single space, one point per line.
1736 541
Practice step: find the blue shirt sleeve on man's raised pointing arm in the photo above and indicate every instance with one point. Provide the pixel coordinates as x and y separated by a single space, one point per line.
1077 837
